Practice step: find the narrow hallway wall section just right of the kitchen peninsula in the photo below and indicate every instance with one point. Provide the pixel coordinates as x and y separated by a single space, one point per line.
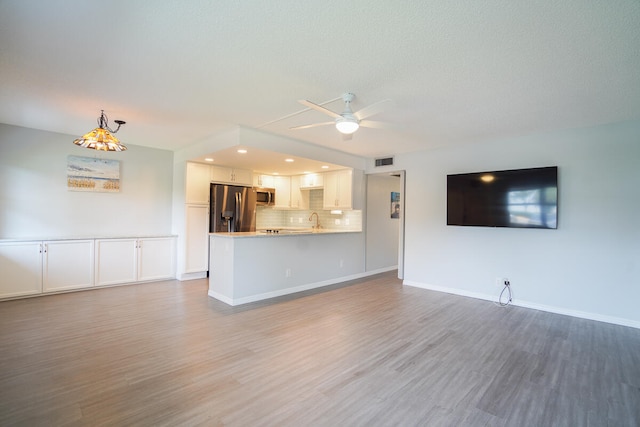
382 231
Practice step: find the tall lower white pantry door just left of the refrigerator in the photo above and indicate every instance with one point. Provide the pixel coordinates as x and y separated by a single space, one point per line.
197 239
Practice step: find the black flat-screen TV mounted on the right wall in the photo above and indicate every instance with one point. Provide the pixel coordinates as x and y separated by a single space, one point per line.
522 198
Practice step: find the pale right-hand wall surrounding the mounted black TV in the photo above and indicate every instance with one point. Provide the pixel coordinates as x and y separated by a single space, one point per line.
589 266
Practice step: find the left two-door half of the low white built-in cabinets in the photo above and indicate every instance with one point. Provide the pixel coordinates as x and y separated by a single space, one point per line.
33 267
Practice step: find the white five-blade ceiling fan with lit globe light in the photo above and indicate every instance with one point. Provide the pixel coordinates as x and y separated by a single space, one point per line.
348 122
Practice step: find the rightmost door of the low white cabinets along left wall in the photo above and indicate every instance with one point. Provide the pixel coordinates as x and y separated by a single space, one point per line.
156 258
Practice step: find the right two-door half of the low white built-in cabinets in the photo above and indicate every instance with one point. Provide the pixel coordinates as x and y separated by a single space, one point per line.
134 260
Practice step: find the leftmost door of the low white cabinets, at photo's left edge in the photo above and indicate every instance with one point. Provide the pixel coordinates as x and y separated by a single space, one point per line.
21 267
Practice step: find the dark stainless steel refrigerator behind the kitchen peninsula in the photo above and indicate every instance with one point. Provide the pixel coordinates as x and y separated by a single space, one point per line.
233 208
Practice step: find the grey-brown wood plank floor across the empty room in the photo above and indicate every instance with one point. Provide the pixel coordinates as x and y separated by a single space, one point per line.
366 353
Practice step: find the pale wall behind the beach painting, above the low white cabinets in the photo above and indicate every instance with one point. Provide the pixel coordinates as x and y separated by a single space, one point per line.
35 202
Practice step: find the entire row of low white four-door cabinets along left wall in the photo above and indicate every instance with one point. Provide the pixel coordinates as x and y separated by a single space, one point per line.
35 267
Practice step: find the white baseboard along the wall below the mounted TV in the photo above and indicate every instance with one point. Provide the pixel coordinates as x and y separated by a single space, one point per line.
525 304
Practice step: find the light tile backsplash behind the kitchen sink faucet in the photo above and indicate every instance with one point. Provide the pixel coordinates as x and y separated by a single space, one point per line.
275 218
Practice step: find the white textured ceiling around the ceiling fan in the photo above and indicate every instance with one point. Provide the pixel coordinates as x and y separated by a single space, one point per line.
457 71
